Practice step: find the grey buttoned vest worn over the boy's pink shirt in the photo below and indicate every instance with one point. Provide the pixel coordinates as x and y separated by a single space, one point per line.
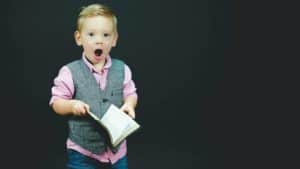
84 131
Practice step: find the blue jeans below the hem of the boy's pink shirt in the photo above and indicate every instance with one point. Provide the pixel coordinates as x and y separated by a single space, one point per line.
77 160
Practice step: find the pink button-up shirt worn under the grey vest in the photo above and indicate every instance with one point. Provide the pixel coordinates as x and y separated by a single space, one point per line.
64 88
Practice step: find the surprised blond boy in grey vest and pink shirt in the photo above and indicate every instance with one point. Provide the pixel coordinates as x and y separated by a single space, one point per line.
92 83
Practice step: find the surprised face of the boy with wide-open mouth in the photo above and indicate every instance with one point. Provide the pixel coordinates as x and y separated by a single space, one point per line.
97 37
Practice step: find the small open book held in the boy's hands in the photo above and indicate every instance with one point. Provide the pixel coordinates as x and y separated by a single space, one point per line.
118 124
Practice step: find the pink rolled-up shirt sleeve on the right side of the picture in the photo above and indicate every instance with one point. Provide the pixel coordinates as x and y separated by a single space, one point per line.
129 85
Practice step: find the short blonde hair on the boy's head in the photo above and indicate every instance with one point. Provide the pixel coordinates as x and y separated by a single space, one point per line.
95 10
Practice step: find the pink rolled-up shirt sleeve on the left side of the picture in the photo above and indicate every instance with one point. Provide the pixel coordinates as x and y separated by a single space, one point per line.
63 86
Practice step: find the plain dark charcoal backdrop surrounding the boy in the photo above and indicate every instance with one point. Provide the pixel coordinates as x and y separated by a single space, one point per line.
217 81
